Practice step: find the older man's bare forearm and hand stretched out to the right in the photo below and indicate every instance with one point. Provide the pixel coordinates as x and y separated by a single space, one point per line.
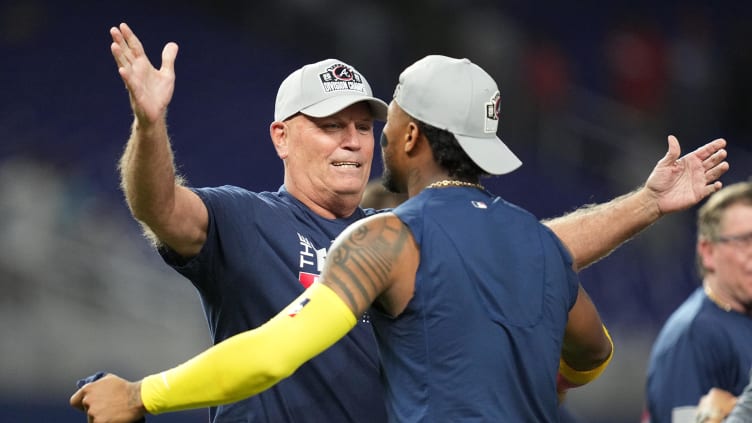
675 184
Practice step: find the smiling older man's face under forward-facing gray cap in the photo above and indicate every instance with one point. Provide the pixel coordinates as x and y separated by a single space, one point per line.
330 156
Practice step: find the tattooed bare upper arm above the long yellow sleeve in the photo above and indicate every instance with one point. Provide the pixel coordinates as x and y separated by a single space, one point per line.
360 266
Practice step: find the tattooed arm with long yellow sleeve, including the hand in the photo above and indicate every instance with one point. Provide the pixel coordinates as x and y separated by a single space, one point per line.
374 260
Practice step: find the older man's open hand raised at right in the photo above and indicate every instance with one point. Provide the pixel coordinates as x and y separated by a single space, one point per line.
678 183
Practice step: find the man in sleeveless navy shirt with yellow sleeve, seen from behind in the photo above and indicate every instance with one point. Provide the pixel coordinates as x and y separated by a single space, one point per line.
473 300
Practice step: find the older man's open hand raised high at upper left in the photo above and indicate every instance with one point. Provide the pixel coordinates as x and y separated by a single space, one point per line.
150 89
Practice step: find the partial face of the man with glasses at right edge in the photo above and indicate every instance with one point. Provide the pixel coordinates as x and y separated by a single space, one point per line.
729 259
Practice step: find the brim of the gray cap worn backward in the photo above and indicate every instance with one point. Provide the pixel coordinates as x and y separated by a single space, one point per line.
490 154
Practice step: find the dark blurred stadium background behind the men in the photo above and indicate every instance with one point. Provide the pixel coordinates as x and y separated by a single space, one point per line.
589 93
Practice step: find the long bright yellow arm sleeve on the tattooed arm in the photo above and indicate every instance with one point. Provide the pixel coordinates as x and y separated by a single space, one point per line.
252 361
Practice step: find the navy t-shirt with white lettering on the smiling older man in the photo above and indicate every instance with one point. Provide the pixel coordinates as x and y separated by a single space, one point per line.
262 250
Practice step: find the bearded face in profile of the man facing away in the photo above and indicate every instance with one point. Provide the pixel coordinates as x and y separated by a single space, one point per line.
393 177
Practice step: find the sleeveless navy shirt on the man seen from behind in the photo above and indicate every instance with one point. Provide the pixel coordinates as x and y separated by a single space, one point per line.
481 337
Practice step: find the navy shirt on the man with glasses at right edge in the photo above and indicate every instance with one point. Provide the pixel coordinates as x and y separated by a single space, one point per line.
700 347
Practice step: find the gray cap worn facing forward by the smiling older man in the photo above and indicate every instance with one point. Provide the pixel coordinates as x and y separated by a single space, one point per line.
323 89
